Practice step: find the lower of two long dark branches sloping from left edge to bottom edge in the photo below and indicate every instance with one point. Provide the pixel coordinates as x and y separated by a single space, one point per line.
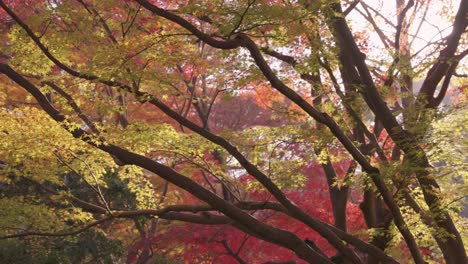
277 236
